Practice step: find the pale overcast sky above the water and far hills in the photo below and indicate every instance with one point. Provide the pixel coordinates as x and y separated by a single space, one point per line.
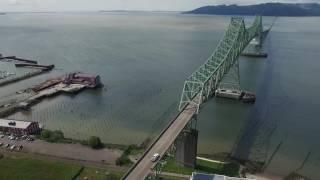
149 5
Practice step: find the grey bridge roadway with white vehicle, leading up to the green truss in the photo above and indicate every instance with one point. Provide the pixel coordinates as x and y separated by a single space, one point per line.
144 166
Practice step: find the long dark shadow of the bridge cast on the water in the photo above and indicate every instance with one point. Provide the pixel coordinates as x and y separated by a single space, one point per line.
252 144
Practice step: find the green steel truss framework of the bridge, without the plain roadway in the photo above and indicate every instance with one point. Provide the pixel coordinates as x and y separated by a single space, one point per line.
205 80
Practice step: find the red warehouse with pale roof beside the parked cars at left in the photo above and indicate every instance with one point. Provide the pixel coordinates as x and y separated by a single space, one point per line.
19 127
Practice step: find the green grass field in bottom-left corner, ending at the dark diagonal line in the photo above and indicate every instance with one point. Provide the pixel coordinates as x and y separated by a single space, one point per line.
25 168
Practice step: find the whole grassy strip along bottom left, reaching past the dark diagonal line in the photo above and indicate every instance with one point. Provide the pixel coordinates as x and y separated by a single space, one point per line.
16 168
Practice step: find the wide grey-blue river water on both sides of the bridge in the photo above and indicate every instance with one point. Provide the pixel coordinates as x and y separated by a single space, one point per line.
143 60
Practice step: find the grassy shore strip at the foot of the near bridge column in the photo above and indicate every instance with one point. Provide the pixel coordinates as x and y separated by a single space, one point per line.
203 166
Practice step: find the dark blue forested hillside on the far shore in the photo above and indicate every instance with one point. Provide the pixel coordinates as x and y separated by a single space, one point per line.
268 9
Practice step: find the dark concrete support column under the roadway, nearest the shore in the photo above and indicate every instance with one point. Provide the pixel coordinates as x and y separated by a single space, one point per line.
186 148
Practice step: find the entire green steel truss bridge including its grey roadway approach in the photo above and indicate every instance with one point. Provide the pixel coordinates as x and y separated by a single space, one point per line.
199 87
